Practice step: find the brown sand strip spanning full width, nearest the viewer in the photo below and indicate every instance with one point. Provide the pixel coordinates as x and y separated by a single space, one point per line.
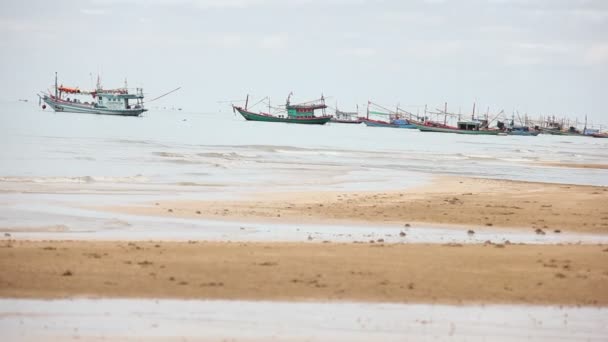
374 272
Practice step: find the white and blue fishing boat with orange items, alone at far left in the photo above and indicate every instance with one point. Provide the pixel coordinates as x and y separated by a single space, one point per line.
102 101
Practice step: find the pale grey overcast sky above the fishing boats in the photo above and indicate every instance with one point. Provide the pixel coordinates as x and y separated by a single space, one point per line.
540 57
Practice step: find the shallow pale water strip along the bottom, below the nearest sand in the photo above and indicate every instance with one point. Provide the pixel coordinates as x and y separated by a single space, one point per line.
116 319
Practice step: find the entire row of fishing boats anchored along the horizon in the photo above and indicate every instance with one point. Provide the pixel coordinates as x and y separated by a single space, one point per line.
121 102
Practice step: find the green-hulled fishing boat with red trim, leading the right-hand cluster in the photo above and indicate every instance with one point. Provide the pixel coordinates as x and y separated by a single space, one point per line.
302 113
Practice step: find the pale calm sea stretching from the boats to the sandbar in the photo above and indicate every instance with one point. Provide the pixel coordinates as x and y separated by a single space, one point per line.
220 149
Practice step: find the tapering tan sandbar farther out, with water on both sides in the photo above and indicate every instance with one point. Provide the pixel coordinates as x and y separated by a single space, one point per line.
446 200
